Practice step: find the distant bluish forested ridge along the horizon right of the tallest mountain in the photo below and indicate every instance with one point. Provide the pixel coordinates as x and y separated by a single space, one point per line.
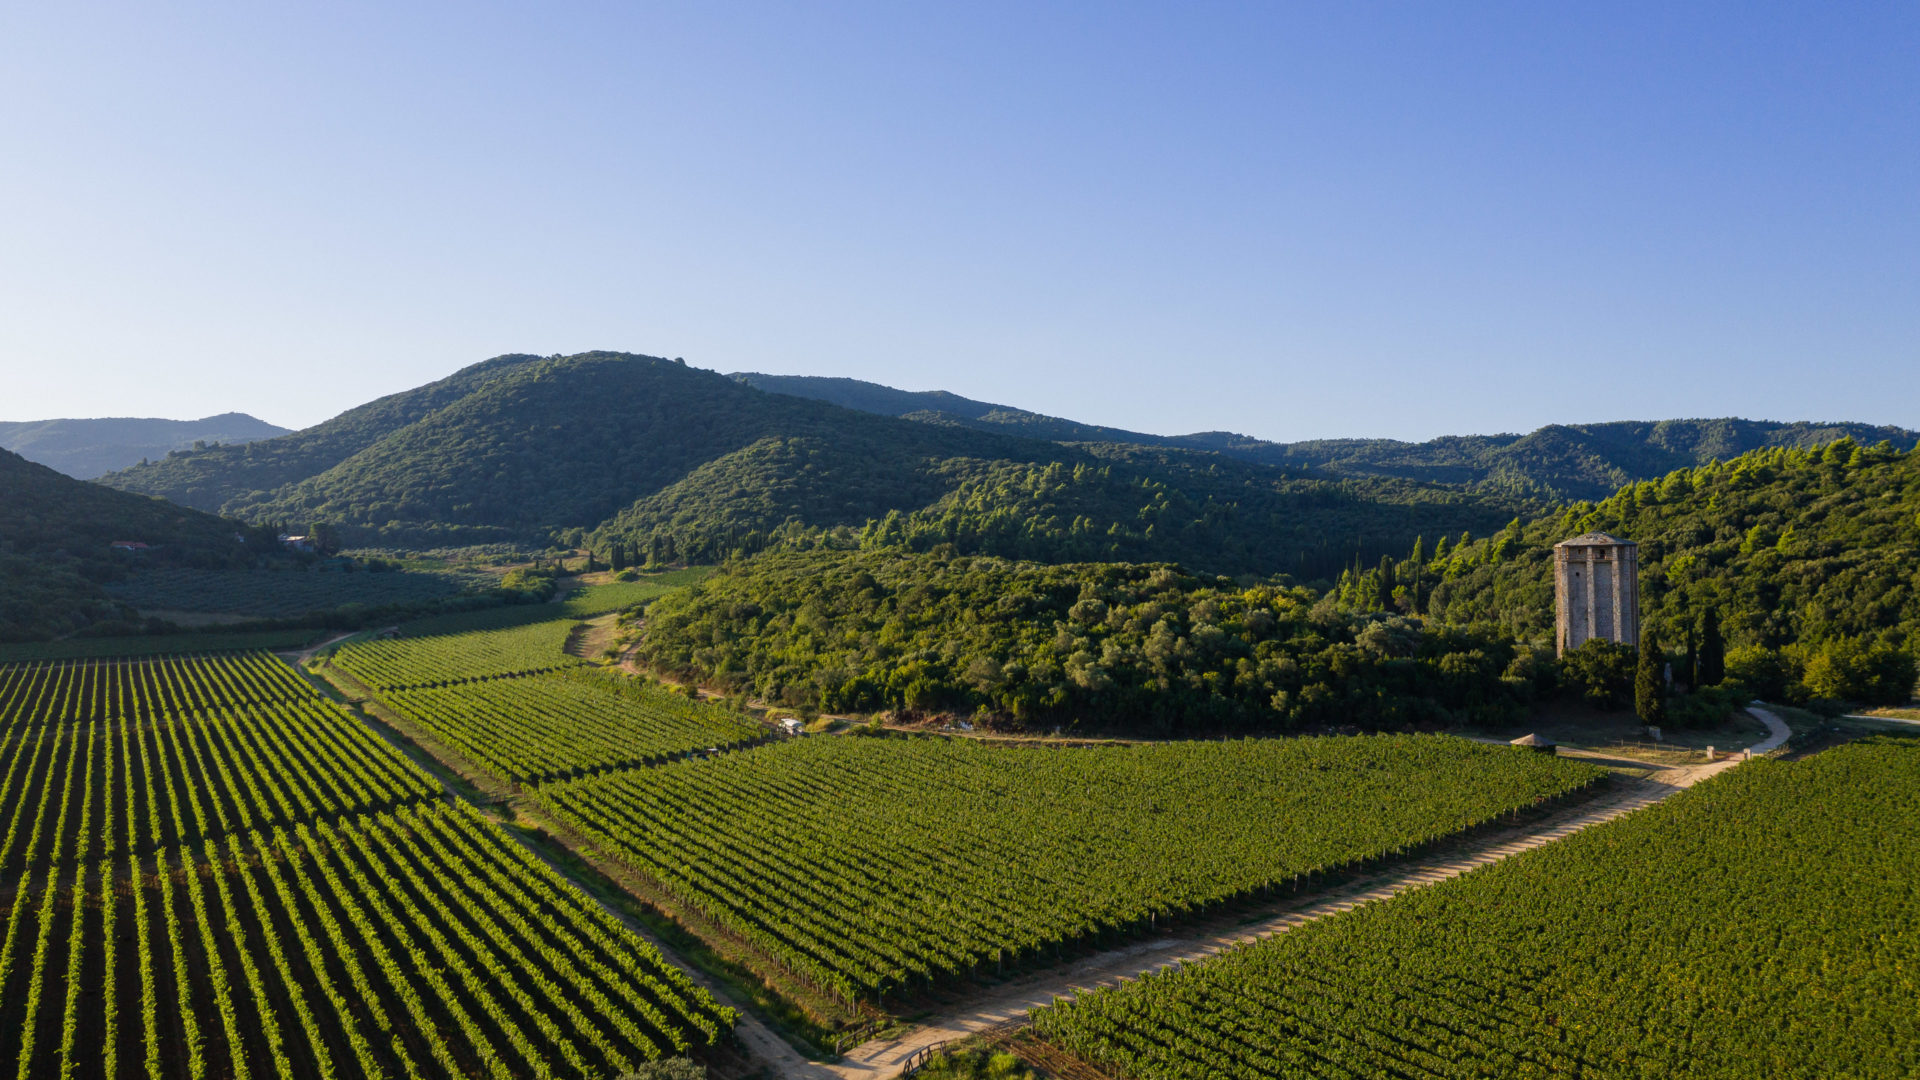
1554 464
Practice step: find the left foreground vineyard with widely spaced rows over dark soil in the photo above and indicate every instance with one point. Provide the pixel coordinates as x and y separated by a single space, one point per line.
208 870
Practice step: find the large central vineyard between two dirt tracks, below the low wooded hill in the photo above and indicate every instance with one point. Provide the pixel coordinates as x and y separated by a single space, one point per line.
871 866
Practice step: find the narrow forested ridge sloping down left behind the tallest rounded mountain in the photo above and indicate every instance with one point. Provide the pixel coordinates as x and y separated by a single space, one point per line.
231 479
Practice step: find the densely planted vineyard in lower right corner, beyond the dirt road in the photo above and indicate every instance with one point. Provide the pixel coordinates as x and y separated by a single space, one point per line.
1760 925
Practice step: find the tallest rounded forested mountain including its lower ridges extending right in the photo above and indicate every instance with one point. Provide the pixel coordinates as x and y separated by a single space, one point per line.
681 464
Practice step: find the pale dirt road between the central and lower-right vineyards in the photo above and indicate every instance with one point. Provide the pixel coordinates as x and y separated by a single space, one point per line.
882 1060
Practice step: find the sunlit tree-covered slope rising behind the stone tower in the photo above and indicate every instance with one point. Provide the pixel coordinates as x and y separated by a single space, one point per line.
1808 558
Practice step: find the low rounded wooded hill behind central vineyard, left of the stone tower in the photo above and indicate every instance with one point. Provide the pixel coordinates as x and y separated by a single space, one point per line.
1136 647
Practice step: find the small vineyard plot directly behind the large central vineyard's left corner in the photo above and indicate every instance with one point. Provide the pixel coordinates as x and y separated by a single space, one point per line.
565 724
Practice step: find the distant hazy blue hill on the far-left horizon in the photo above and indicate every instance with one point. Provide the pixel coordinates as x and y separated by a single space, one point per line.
87 449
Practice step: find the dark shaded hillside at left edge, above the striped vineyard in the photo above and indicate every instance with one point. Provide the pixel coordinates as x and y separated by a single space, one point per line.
57 539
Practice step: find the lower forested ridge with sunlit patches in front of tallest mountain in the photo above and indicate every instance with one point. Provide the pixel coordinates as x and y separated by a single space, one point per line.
1044 503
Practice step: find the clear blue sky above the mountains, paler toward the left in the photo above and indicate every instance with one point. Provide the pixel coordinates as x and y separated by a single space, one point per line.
1287 220
